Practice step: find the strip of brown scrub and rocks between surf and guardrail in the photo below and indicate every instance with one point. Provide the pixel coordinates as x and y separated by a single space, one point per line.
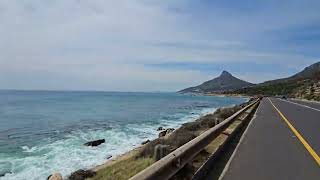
169 139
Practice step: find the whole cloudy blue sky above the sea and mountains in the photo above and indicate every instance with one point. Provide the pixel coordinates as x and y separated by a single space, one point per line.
153 45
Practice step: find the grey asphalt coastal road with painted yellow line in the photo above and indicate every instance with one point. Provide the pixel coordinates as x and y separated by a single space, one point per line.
270 150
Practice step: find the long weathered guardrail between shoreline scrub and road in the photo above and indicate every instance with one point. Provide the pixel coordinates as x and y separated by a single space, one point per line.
173 162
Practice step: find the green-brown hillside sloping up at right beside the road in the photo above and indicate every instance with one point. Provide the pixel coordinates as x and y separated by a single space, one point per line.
305 84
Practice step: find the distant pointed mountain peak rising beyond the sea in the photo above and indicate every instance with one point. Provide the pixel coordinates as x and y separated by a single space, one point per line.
225 82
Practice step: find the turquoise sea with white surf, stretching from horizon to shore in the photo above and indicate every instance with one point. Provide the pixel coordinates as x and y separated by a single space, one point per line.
43 131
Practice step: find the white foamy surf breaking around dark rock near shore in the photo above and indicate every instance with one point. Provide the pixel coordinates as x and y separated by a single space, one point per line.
69 154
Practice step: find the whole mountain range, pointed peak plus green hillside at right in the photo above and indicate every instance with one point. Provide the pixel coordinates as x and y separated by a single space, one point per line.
305 84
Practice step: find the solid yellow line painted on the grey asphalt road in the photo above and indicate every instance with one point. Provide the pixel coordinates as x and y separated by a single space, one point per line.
302 140
